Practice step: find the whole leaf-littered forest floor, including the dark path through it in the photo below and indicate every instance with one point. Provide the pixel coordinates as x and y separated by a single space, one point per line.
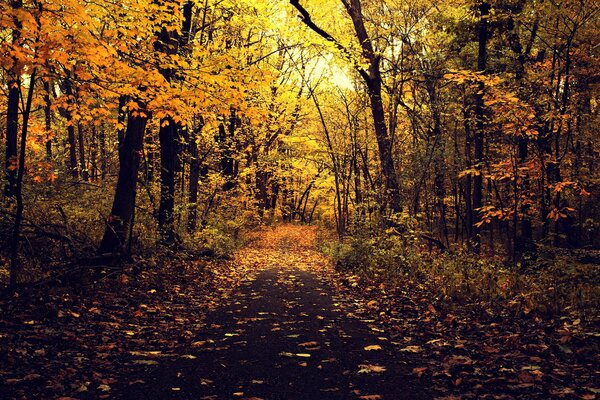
278 322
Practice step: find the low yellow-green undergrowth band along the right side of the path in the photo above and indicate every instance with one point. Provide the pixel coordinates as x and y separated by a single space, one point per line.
553 285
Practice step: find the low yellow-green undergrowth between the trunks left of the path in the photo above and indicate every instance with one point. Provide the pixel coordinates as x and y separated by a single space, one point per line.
61 234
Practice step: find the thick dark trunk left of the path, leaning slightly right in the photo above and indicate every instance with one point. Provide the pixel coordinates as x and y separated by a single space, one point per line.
121 216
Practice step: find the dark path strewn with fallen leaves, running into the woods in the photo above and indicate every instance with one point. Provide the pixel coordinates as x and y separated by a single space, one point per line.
284 334
